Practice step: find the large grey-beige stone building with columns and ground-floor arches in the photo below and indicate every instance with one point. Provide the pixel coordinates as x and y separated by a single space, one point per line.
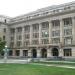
44 33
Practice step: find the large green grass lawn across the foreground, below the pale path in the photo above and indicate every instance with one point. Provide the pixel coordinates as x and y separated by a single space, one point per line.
29 69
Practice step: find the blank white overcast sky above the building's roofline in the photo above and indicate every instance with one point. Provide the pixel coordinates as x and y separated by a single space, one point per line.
13 8
